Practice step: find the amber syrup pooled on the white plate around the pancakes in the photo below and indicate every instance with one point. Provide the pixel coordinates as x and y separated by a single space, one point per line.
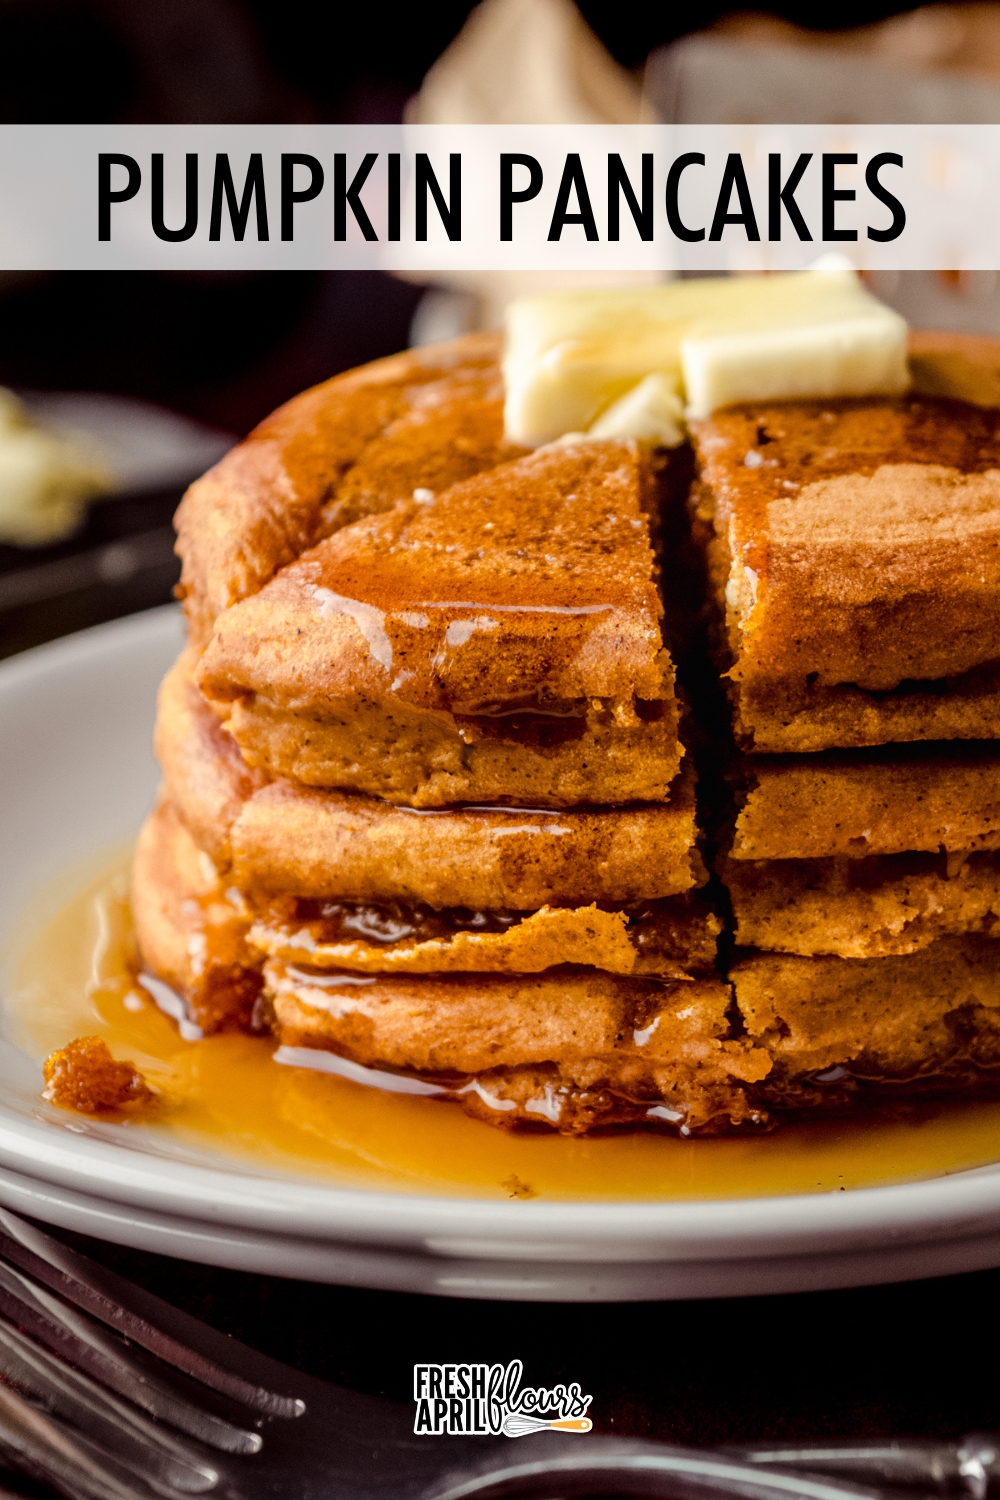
77 976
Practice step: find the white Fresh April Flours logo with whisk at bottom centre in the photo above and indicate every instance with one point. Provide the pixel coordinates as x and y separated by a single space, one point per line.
490 1400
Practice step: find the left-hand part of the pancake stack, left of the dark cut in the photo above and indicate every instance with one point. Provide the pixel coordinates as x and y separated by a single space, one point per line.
427 803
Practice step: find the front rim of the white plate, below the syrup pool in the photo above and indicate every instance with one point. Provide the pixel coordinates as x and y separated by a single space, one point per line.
632 1229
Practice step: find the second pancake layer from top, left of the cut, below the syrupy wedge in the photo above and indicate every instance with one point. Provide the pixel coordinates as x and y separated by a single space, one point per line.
289 841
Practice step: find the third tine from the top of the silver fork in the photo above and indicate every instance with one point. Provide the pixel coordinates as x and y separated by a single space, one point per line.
104 1418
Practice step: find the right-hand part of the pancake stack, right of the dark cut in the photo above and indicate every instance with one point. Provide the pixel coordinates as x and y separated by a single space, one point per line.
855 553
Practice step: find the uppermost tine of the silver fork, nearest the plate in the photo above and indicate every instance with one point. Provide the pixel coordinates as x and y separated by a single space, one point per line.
77 1280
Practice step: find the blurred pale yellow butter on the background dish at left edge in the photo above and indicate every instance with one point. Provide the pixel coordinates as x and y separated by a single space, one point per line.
46 479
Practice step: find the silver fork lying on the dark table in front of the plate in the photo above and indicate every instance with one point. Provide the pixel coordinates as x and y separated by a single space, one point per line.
112 1394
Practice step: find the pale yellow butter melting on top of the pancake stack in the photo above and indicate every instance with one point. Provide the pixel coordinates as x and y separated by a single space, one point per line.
572 356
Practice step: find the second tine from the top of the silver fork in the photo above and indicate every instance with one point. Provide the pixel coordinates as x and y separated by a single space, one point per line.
74 1336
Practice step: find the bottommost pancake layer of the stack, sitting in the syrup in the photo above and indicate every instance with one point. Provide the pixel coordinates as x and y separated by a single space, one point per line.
594 1048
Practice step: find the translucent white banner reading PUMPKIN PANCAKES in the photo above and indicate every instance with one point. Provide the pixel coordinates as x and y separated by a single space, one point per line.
452 199
